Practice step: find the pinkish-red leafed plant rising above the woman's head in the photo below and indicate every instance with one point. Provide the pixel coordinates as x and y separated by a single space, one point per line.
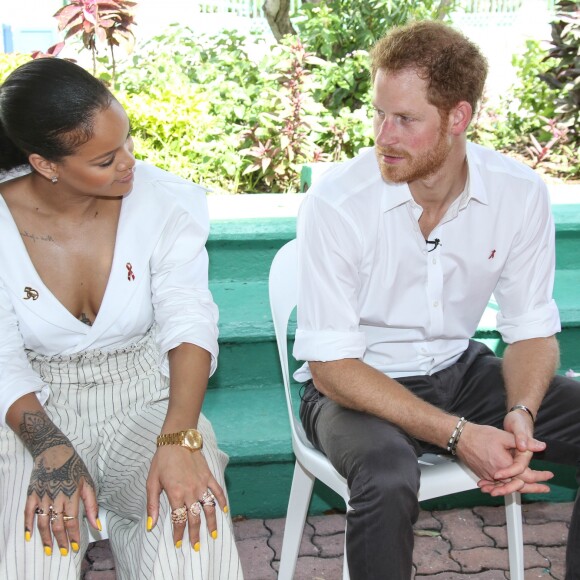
108 21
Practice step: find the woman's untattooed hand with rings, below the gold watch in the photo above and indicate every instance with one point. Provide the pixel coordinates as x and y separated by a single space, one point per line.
185 477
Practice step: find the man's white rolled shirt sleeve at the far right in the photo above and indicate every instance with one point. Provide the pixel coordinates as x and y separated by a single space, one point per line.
525 288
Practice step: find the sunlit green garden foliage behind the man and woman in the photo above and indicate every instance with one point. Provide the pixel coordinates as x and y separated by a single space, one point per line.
242 115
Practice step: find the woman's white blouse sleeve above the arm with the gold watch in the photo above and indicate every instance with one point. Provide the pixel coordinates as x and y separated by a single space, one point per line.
184 308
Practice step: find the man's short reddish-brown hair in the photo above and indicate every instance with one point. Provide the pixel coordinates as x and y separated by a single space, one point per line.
453 66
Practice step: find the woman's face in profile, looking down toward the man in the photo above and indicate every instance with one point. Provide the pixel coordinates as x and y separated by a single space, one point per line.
104 165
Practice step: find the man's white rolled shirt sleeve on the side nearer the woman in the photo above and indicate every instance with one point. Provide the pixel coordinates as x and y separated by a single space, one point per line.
328 283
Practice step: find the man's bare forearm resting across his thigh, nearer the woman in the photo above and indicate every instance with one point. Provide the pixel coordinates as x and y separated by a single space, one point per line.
356 385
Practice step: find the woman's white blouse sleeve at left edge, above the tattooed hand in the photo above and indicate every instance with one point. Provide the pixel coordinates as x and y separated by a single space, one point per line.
17 378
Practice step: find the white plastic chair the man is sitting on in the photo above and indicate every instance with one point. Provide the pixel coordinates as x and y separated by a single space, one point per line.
440 475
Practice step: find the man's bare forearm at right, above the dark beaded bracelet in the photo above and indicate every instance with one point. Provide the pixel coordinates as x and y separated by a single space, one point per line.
528 368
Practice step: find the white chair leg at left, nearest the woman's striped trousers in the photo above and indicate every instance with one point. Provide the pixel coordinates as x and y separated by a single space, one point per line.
300 494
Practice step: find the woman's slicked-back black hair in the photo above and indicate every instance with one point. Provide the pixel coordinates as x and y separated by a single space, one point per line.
47 106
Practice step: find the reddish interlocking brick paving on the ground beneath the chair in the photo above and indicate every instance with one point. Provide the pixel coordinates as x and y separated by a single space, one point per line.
450 545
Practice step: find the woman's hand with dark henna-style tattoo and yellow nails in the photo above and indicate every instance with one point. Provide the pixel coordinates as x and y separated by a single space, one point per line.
58 480
